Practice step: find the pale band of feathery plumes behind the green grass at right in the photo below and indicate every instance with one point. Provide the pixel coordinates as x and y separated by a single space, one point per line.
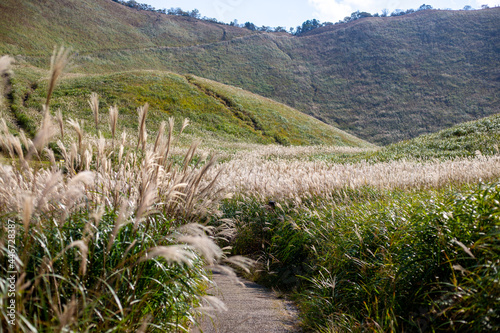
256 174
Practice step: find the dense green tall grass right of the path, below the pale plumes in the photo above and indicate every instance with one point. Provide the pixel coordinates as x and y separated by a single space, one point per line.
382 261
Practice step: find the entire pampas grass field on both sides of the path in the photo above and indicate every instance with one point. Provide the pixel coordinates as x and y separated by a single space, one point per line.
114 231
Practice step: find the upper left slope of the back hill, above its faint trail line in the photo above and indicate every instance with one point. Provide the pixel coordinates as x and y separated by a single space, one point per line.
31 28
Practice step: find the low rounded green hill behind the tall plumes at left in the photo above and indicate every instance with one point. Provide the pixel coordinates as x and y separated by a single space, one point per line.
215 110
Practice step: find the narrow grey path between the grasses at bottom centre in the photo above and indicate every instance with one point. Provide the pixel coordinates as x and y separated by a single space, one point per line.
250 308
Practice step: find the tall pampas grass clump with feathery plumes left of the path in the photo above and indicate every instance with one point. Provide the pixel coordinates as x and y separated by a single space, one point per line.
105 238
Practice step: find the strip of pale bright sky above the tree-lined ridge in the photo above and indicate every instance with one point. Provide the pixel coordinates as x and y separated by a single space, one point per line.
291 13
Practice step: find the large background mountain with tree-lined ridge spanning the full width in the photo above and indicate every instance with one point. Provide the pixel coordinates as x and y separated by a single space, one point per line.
381 79
